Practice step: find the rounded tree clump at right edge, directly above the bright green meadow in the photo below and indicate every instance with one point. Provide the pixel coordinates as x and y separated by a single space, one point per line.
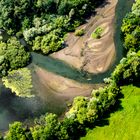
128 70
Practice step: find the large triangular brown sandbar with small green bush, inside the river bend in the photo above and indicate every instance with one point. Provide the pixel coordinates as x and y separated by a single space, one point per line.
86 53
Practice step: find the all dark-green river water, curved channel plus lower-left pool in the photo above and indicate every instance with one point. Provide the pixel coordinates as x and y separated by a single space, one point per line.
14 108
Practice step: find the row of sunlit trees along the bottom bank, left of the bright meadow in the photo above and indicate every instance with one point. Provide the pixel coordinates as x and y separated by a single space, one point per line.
84 112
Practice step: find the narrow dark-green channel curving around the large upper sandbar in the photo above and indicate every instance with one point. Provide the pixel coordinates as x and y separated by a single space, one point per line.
61 68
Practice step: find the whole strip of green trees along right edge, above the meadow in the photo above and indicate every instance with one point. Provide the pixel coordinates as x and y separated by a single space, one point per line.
128 70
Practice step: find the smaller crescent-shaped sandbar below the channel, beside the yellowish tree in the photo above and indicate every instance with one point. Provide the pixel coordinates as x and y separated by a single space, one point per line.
47 83
